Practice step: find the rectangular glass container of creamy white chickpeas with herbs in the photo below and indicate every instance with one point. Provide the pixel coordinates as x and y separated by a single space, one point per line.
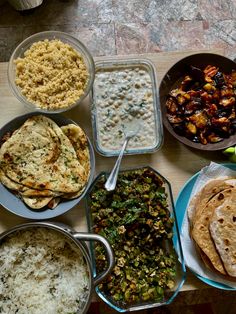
125 91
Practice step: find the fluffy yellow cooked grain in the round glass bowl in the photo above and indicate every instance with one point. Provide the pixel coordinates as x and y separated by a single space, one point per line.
51 74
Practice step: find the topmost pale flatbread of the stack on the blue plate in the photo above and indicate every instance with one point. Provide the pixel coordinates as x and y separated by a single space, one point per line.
223 231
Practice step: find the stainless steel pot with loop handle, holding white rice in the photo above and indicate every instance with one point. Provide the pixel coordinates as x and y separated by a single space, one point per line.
78 239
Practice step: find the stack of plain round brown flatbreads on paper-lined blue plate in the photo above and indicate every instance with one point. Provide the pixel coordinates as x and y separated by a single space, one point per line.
212 216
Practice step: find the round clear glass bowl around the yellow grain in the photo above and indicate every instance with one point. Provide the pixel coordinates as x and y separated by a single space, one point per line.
50 35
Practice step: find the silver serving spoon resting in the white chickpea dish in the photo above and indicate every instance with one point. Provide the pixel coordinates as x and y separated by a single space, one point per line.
130 131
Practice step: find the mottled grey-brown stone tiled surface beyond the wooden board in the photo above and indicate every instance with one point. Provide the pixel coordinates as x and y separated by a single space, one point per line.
110 27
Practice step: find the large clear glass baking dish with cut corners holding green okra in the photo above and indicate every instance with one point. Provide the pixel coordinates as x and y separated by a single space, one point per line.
172 246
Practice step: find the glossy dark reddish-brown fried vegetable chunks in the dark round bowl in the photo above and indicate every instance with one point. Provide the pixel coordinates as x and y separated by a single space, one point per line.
202 106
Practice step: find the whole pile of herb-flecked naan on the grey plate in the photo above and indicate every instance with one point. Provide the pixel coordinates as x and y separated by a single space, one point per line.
43 162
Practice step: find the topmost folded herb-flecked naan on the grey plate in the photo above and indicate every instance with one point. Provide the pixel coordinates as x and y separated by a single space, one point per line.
40 156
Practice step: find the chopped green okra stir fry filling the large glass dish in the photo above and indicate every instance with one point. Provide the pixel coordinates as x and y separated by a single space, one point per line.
136 221
